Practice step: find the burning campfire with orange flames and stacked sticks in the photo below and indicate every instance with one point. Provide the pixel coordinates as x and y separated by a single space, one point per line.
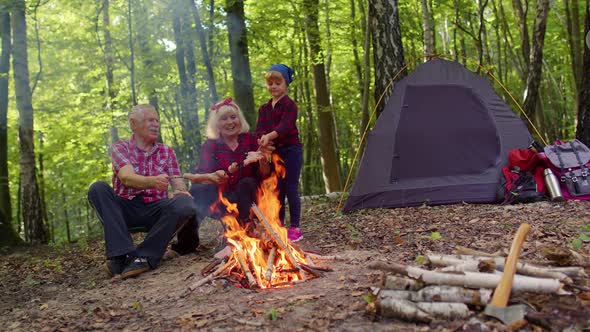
261 254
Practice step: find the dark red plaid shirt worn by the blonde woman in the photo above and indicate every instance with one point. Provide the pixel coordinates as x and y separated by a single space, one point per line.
216 155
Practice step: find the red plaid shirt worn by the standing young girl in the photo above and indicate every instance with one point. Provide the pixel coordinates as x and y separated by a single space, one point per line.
282 119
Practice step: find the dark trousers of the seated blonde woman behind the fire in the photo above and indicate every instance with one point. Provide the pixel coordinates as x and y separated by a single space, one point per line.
204 196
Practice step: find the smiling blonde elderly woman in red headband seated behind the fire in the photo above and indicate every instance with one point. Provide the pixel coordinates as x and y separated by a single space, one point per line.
229 161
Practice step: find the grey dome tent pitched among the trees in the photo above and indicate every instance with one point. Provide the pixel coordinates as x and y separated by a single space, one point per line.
443 137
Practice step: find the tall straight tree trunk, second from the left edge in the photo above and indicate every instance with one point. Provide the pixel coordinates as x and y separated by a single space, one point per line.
35 230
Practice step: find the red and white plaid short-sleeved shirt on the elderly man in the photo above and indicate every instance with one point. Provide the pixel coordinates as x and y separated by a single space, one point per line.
161 159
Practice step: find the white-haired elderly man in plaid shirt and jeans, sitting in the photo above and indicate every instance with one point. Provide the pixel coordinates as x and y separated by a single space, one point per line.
142 171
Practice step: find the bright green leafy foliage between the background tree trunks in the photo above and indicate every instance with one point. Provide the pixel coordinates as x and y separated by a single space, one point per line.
72 121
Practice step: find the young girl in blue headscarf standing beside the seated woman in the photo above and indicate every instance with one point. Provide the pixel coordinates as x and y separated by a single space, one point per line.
276 125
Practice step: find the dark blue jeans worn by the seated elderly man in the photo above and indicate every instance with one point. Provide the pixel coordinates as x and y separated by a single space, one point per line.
163 218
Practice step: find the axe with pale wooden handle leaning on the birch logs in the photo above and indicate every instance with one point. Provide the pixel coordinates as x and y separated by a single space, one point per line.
497 307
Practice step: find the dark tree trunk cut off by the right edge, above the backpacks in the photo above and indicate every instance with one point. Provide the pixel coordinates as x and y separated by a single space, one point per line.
583 129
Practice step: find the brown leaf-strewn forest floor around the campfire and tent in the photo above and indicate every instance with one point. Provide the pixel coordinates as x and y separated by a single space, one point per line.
66 289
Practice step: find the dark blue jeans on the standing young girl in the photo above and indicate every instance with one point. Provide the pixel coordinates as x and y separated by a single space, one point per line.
292 156
